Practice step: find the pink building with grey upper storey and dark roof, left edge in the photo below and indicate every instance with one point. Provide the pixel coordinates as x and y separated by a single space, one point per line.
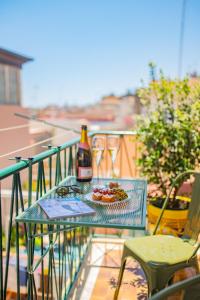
10 103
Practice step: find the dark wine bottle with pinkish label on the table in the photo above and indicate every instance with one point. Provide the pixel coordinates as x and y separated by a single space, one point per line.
84 158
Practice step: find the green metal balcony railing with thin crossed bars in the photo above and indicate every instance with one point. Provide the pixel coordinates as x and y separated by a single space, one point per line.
25 182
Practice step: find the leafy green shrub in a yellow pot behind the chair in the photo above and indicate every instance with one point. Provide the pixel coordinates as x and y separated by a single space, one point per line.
170 140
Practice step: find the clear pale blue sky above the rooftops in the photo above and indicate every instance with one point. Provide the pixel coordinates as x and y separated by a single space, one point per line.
85 49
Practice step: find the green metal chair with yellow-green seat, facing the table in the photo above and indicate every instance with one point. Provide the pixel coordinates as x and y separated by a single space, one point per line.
160 256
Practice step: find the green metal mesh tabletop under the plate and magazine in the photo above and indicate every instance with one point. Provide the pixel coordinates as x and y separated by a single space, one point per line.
130 214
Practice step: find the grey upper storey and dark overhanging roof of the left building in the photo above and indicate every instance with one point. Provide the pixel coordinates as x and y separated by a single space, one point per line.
10 76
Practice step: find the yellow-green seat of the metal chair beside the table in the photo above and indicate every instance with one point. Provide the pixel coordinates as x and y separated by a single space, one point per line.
160 249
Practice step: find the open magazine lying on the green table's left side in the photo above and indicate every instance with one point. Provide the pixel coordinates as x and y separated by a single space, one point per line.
62 208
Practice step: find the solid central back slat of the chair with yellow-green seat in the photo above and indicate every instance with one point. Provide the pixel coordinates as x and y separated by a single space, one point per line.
192 228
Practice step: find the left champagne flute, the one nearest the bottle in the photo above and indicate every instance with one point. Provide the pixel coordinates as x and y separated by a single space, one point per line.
98 146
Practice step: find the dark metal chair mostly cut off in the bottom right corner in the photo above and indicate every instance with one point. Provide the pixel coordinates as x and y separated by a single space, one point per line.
190 290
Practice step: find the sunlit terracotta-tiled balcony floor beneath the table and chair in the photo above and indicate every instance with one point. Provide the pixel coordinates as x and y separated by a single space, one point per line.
100 272
